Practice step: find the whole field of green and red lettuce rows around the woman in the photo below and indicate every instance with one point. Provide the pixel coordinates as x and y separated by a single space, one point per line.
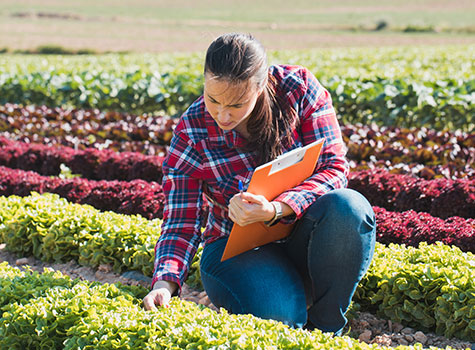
82 142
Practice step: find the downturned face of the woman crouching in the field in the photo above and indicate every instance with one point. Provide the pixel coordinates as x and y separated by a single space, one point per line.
230 104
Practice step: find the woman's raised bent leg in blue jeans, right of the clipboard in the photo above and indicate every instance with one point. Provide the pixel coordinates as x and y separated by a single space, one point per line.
340 248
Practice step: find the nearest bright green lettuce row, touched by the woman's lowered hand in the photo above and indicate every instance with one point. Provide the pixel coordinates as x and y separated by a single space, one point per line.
51 311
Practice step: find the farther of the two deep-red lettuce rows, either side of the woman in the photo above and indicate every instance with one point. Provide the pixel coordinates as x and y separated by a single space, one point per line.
440 197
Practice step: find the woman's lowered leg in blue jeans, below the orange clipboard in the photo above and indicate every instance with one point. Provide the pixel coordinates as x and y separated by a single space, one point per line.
242 284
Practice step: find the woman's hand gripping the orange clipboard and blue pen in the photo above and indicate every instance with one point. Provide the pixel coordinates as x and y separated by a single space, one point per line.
246 208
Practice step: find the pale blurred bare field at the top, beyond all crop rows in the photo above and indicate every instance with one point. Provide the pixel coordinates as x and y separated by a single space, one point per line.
159 26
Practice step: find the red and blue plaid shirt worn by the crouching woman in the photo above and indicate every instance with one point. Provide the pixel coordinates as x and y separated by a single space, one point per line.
204 159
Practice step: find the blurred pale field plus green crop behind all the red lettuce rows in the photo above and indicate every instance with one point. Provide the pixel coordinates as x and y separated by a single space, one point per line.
404 63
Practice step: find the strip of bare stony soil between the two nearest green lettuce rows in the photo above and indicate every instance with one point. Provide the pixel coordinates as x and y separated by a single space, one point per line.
366 327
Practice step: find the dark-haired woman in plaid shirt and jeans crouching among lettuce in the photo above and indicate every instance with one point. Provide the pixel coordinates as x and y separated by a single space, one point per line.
248 115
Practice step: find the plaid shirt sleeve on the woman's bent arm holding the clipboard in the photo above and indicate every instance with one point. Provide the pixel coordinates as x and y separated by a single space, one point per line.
318 120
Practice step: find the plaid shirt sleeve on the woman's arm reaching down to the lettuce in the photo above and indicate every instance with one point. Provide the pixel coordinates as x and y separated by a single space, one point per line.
181 227
